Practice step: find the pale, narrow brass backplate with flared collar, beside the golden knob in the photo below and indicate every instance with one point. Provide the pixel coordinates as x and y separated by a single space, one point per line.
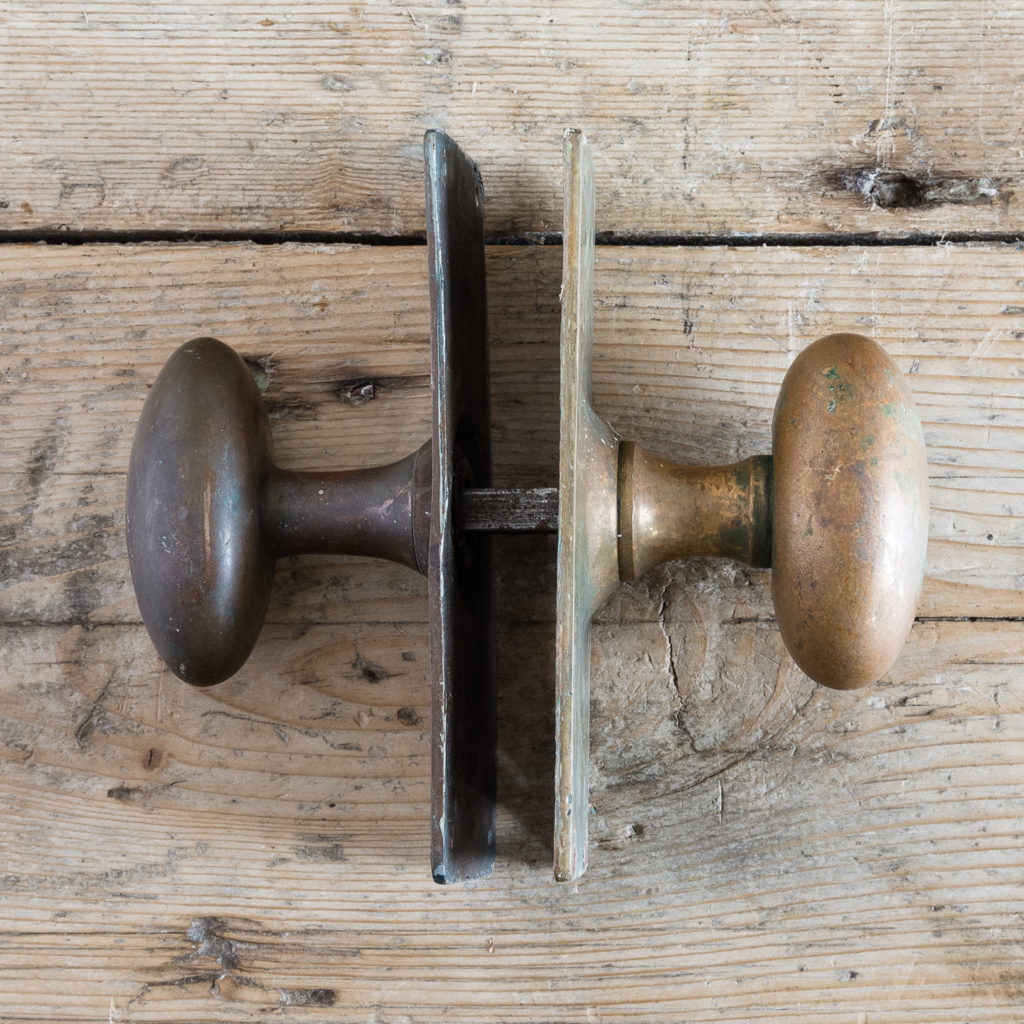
587 545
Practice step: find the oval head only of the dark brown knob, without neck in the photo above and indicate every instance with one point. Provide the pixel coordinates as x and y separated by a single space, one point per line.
199 561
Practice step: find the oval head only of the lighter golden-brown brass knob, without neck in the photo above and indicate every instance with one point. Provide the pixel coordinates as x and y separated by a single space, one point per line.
850 517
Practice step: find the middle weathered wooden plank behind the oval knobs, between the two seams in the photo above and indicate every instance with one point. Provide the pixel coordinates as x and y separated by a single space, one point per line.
693 347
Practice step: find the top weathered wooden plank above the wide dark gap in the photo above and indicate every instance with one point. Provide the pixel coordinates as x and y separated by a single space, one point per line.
883 116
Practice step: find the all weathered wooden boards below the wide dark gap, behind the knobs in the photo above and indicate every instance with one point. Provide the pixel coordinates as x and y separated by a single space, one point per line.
762 849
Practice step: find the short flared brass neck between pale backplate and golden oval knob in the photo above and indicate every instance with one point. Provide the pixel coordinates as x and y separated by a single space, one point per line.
669 511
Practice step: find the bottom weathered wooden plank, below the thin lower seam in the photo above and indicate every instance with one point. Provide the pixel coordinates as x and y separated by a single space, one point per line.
792 856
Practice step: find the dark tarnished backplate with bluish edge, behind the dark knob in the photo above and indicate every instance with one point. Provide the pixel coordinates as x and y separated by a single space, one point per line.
462 656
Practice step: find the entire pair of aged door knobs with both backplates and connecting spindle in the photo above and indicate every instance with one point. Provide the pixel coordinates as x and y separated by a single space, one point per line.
839 510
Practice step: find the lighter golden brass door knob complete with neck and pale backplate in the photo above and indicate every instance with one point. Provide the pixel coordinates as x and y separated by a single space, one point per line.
839 510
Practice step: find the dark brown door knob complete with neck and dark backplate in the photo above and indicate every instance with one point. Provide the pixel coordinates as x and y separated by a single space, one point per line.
208 514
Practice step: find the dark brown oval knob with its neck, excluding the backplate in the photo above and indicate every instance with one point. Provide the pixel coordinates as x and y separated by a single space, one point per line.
208 513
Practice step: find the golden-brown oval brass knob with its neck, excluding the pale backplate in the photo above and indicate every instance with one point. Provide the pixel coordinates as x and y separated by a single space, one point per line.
839 510
